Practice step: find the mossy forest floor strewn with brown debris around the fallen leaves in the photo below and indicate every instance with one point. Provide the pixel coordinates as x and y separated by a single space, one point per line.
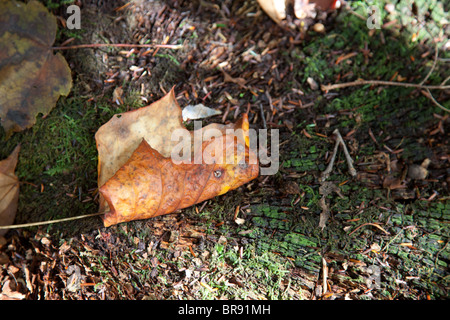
380 235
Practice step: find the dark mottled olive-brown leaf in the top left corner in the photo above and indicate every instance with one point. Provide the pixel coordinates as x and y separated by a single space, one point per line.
31 77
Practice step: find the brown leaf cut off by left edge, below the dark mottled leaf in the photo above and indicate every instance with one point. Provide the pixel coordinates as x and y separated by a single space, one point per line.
9 189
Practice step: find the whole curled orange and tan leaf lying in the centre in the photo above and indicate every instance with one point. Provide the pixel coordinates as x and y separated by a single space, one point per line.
138 178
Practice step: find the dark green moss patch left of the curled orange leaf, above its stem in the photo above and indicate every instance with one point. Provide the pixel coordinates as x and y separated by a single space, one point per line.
58 158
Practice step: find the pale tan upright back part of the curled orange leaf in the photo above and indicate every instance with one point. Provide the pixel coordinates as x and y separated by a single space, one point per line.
121 135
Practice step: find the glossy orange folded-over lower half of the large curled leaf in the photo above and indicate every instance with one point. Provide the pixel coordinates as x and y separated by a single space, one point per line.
149 184
